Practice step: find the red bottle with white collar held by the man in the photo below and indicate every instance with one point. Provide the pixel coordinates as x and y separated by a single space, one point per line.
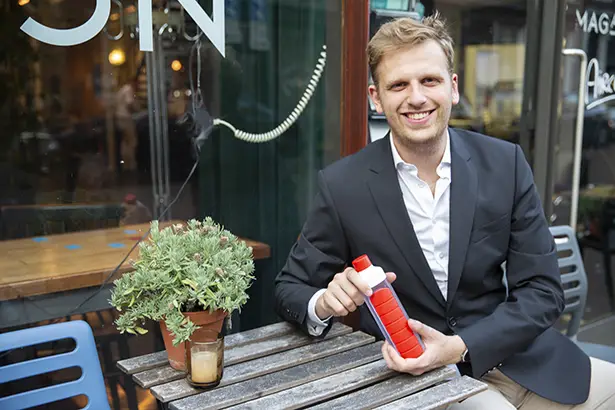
387 310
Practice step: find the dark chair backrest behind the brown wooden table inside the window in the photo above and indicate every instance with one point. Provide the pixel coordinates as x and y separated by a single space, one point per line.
35 220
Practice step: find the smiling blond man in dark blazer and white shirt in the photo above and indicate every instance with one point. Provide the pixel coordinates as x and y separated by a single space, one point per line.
442 209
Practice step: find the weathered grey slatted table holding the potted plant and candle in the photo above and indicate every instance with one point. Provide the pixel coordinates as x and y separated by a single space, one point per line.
277 366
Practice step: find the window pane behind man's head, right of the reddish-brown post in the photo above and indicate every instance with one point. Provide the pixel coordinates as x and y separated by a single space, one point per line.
489 41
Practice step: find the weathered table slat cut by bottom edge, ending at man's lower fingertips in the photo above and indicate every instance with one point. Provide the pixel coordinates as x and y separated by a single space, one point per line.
318 390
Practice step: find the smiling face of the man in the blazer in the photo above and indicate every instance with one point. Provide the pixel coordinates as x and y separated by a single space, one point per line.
415 92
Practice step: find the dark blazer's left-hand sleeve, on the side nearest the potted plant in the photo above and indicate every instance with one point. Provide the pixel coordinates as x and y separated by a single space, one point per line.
320 252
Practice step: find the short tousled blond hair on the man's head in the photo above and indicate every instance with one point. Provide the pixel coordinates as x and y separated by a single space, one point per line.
407 32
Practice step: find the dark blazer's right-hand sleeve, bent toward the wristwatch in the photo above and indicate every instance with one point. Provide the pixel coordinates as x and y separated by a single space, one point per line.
536 296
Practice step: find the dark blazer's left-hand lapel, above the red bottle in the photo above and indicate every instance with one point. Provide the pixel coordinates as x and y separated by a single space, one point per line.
384 187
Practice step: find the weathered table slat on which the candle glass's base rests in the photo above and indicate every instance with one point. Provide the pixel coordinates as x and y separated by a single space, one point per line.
244 371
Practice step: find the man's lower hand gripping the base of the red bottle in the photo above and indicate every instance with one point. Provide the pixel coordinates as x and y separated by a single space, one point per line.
440 350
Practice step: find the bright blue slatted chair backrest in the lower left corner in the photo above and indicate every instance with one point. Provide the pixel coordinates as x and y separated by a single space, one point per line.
90 384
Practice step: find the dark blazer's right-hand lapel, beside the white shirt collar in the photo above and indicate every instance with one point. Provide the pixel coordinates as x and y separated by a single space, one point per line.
464 185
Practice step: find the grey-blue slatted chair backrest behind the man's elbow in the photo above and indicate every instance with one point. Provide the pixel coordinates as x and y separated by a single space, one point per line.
574 278
